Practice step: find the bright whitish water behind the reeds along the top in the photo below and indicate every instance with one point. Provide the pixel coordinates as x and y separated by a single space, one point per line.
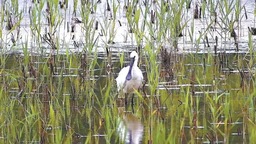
192 41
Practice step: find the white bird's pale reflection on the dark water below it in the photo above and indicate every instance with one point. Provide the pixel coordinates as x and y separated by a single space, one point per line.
130 128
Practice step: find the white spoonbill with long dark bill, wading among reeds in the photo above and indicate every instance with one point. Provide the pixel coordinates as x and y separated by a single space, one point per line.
130 77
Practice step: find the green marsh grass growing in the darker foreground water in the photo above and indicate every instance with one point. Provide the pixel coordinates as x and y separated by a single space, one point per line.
178 114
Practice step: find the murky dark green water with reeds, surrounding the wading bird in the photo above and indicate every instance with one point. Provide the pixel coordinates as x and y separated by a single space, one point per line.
60 99
